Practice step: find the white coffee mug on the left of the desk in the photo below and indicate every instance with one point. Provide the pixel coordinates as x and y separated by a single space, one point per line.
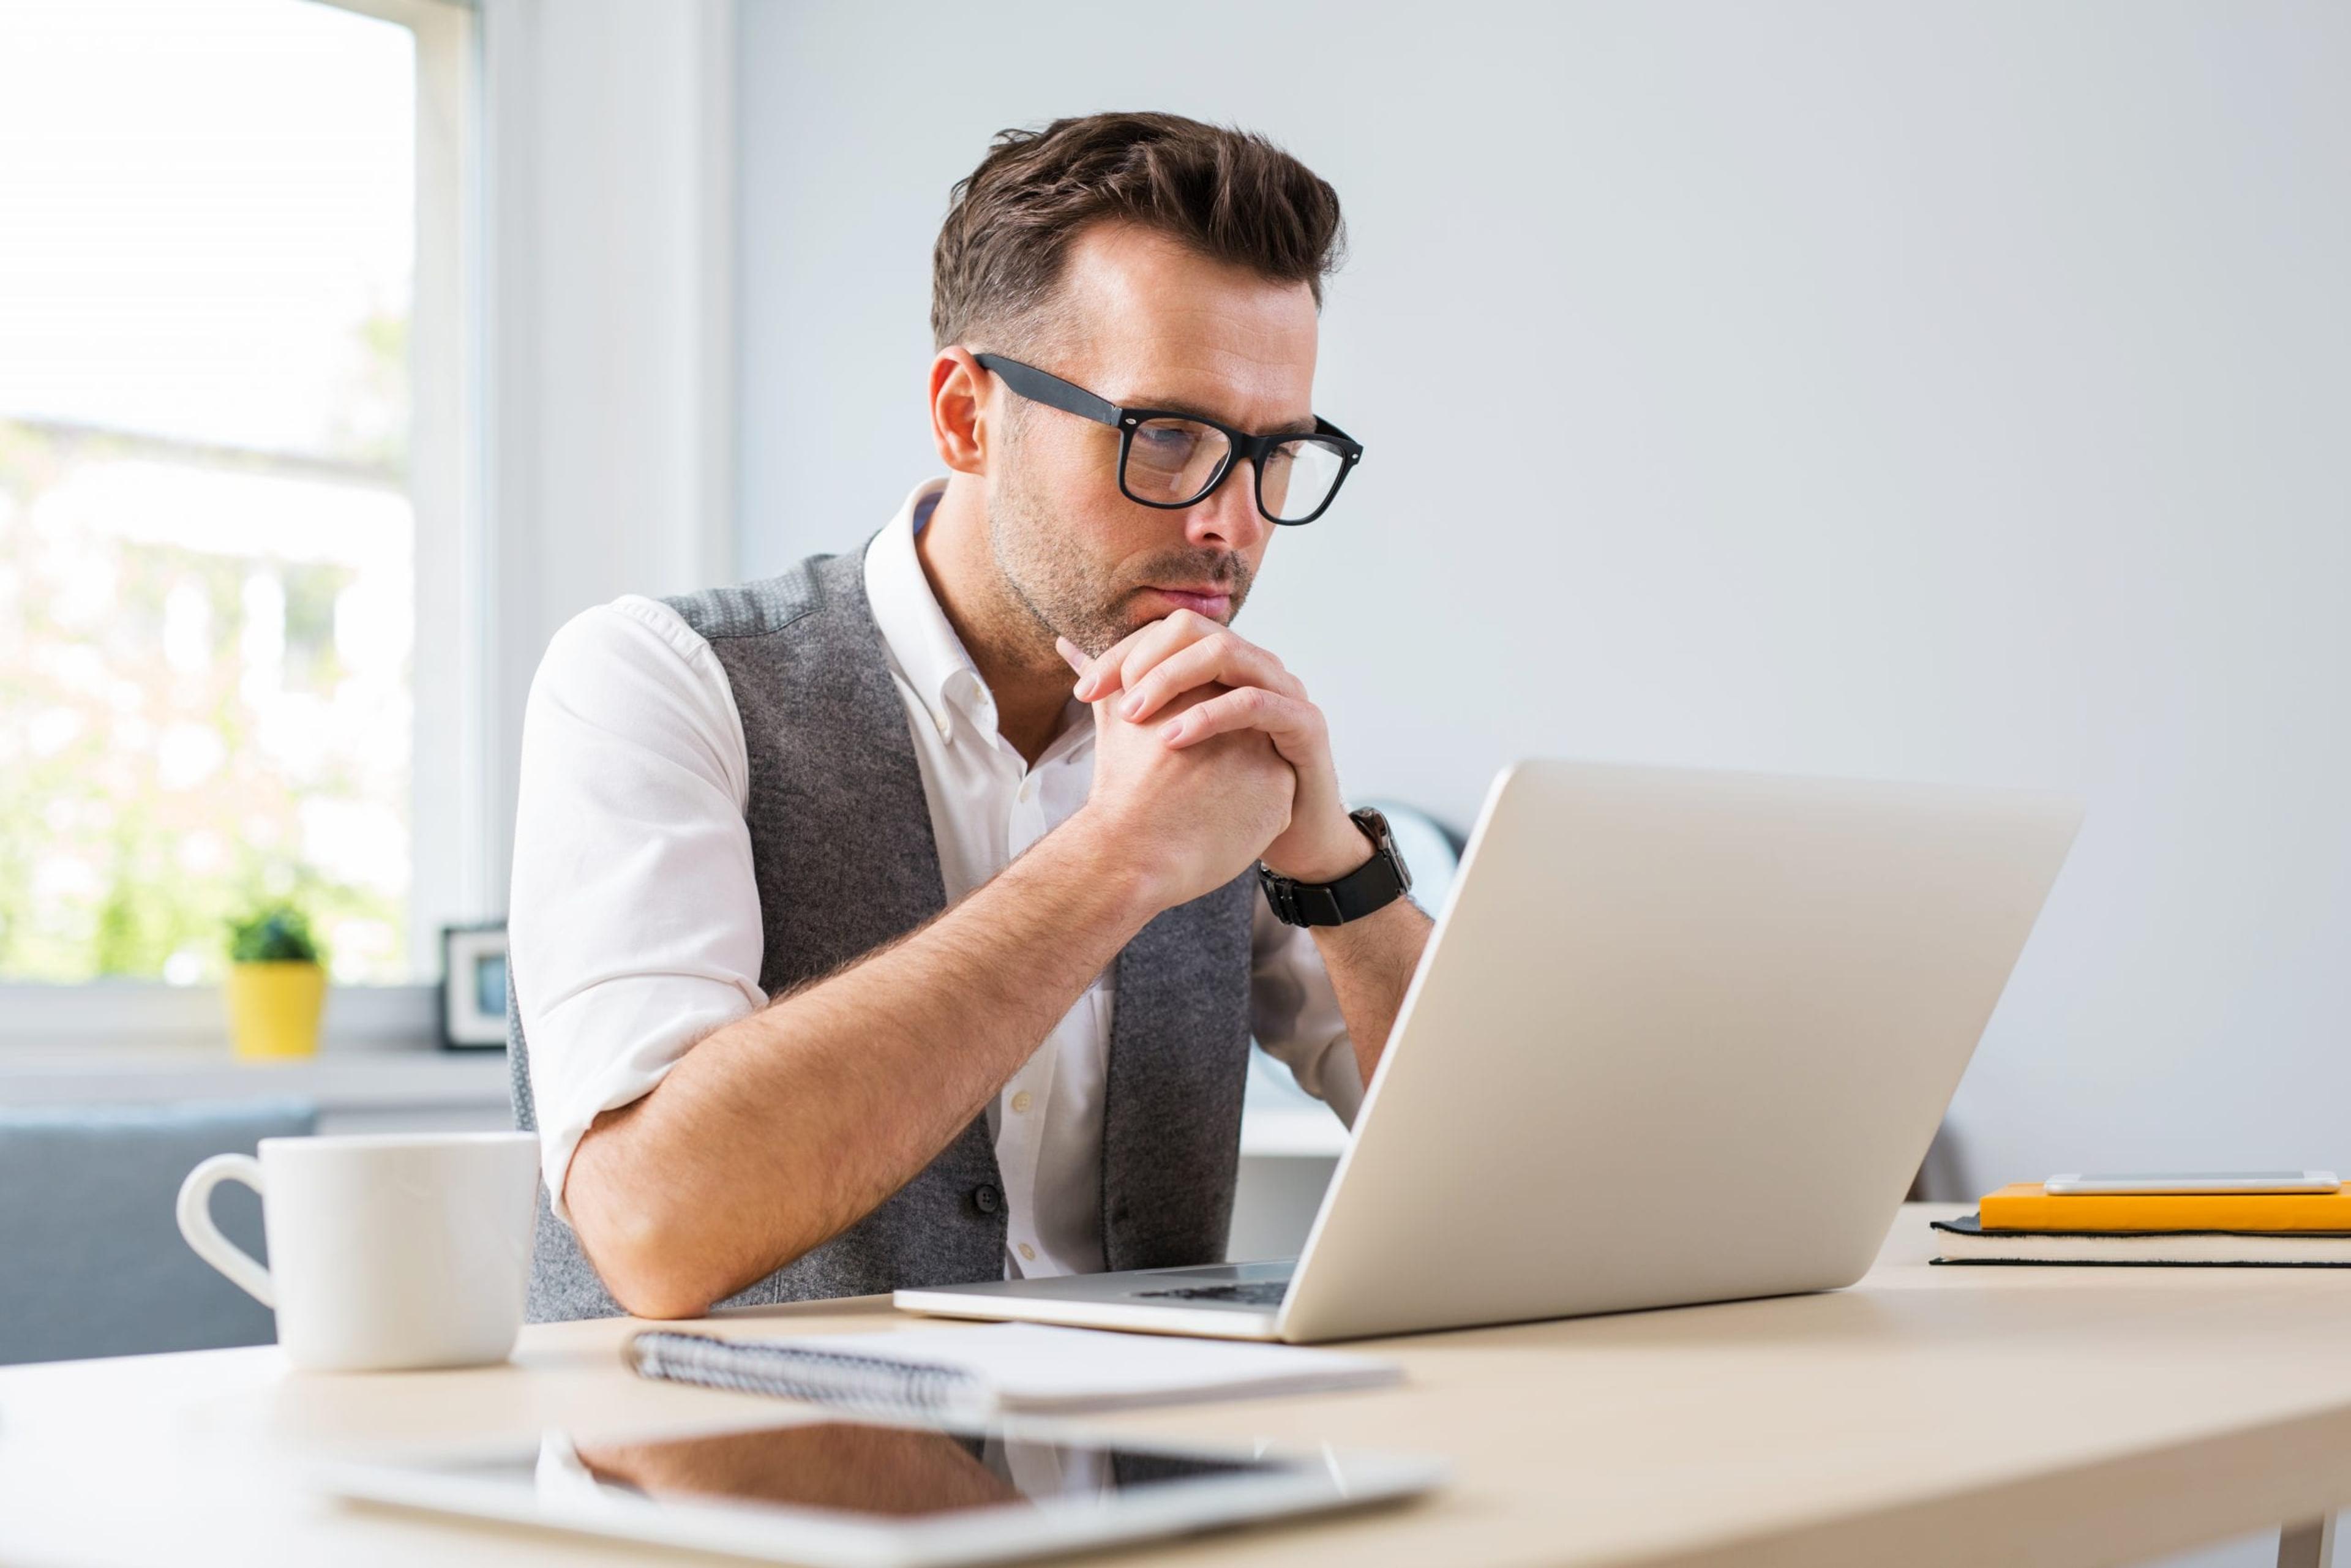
389 1249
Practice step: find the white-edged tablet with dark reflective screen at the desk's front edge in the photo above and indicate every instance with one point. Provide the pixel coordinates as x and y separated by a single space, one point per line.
857 1492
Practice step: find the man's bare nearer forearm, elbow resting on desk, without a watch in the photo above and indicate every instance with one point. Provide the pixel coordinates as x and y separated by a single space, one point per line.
786 1127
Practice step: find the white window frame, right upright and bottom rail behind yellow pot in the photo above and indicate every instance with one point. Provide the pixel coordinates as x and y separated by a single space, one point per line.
453 791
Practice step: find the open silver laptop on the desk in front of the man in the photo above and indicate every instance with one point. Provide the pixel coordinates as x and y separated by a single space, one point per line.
1677 1038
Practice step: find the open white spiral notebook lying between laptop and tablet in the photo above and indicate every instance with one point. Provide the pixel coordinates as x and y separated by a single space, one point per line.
991 1369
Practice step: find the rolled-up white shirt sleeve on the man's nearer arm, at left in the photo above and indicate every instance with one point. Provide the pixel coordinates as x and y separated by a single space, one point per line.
634 916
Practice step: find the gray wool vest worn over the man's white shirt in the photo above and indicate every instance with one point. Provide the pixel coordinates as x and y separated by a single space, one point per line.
840 836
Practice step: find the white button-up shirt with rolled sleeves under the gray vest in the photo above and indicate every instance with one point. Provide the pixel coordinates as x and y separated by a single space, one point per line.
636 918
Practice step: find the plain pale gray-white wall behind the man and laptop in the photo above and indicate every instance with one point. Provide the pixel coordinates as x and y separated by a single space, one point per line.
1948 394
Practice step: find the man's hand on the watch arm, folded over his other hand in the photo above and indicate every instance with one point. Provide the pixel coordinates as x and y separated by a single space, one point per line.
1186 681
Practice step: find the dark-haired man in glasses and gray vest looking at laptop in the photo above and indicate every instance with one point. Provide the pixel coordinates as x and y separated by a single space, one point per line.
899 920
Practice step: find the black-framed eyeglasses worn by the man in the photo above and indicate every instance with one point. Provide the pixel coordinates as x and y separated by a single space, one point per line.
1174 460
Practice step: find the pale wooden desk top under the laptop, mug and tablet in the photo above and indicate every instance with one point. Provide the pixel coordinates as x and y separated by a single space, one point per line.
1927 1416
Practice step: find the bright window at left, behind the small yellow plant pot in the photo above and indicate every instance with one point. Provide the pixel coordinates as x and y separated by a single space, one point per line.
234 453
